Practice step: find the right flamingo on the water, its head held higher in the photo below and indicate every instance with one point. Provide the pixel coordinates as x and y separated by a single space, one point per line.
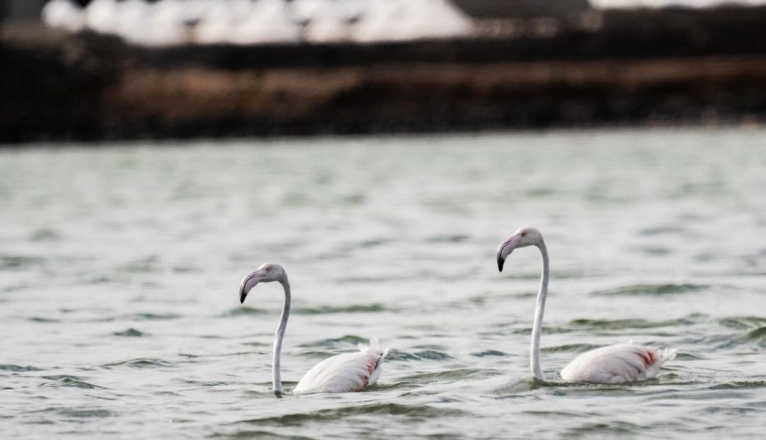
607 365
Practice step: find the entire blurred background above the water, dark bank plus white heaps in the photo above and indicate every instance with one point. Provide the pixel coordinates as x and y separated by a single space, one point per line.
116 69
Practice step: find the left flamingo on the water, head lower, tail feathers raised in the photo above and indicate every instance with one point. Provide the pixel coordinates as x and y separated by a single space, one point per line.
343 373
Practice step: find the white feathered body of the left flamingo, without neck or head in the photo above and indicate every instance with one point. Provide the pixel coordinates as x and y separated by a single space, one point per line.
346 372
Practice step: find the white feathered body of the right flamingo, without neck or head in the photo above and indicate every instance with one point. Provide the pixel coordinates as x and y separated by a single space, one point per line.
617 363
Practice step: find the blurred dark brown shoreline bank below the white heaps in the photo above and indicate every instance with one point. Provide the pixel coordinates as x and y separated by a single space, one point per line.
640 67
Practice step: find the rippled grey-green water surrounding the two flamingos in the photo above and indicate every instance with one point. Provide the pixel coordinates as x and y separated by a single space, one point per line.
119 271
